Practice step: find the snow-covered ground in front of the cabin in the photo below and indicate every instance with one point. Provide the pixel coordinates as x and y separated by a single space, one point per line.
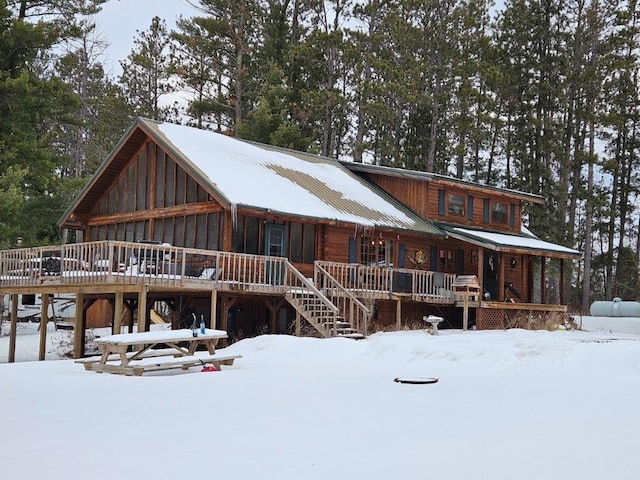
508 404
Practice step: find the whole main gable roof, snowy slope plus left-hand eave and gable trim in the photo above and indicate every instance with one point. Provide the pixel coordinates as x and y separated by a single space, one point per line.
243 174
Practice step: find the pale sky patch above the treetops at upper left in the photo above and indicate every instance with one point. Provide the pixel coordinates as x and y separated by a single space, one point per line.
119 20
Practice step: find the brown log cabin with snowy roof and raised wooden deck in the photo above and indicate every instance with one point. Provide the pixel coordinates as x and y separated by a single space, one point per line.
185 224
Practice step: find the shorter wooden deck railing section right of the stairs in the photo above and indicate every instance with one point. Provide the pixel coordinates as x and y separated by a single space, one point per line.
372 281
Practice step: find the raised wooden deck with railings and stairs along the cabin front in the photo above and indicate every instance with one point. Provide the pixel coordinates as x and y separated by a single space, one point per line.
339 294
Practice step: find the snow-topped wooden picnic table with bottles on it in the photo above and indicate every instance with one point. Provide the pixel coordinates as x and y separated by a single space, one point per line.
137 353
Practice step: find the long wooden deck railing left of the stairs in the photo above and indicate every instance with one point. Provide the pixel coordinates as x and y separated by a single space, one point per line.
150 264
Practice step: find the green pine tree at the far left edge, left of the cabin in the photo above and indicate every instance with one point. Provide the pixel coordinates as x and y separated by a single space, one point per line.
35 104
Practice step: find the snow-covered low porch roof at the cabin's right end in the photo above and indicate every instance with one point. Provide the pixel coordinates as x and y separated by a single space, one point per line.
518 244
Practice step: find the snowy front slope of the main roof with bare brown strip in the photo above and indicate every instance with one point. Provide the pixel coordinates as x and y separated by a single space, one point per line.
248 175
